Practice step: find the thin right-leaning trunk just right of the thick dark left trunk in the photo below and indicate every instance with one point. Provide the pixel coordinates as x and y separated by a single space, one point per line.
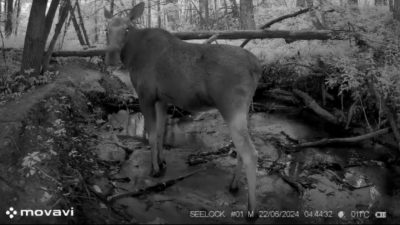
63 14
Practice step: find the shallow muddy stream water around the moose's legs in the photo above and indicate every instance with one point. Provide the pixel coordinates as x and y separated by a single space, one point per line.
328 178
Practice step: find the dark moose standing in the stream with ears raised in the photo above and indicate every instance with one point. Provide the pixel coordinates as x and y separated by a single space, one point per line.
195 77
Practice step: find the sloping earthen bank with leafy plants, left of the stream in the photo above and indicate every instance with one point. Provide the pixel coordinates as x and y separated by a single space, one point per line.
45 156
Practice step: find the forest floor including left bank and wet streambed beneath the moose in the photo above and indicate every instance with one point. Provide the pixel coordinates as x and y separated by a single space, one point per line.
61 148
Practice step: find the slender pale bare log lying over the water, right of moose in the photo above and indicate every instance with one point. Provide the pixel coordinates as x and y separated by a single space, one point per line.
327 141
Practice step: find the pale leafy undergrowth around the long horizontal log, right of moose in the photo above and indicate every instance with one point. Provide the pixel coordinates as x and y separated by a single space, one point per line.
346 65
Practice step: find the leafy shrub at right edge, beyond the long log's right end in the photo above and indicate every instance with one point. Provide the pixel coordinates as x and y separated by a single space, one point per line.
372 62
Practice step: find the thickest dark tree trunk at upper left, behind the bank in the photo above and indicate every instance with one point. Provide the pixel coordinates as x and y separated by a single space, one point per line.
34 45
